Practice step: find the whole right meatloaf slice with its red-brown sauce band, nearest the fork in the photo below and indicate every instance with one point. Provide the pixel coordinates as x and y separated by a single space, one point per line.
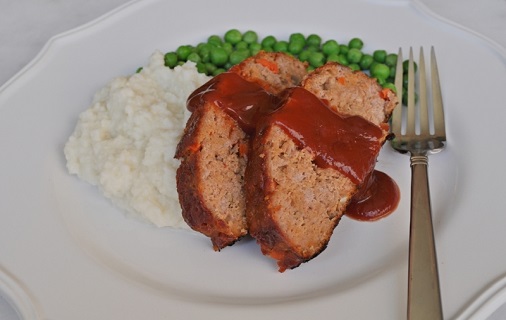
296 192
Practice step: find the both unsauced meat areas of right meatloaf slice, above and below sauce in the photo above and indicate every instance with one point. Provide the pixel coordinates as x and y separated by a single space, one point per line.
292 204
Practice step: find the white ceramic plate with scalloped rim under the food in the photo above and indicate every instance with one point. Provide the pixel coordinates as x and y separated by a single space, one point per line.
67 253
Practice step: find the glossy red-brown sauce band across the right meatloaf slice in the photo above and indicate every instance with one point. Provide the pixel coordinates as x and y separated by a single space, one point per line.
347 144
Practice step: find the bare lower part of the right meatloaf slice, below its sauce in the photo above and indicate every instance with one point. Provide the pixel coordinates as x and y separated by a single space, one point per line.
293 205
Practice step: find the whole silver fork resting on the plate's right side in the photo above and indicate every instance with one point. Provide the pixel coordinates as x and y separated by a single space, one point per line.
416 134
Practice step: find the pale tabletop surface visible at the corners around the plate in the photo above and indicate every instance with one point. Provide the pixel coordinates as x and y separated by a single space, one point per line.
26 25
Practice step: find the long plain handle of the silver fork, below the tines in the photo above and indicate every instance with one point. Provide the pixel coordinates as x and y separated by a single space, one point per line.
424 297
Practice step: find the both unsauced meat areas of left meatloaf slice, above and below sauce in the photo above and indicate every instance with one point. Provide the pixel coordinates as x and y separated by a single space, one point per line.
213 154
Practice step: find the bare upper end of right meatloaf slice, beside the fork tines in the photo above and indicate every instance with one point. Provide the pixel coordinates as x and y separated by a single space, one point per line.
351 92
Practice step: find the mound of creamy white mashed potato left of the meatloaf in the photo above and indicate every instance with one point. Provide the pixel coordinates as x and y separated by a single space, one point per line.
124 143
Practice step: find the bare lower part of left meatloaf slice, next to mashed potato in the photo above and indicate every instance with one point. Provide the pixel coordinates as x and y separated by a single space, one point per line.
210 177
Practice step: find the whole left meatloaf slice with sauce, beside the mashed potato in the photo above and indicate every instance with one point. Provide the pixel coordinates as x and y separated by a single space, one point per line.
214 145
